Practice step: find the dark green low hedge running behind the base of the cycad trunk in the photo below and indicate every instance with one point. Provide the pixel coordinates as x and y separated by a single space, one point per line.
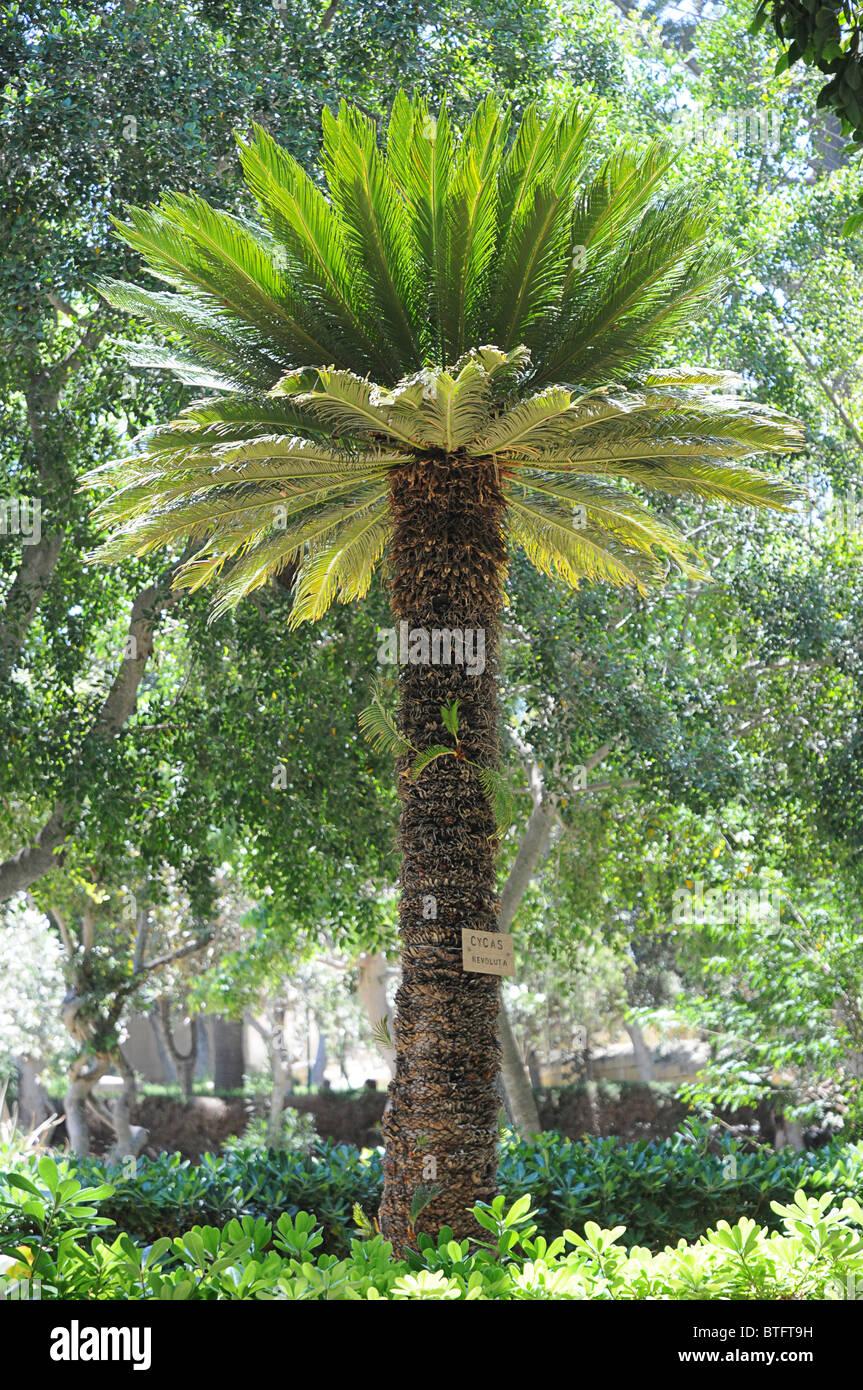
662 1192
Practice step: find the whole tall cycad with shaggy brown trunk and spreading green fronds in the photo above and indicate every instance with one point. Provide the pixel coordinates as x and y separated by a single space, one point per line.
452 344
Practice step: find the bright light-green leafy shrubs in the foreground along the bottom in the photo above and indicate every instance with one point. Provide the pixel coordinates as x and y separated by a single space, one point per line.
818 1254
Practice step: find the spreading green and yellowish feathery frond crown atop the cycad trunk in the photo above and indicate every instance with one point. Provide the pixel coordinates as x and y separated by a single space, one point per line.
498 297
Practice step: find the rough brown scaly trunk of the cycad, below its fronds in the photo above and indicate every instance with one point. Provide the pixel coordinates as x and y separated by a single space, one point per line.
441 1125
